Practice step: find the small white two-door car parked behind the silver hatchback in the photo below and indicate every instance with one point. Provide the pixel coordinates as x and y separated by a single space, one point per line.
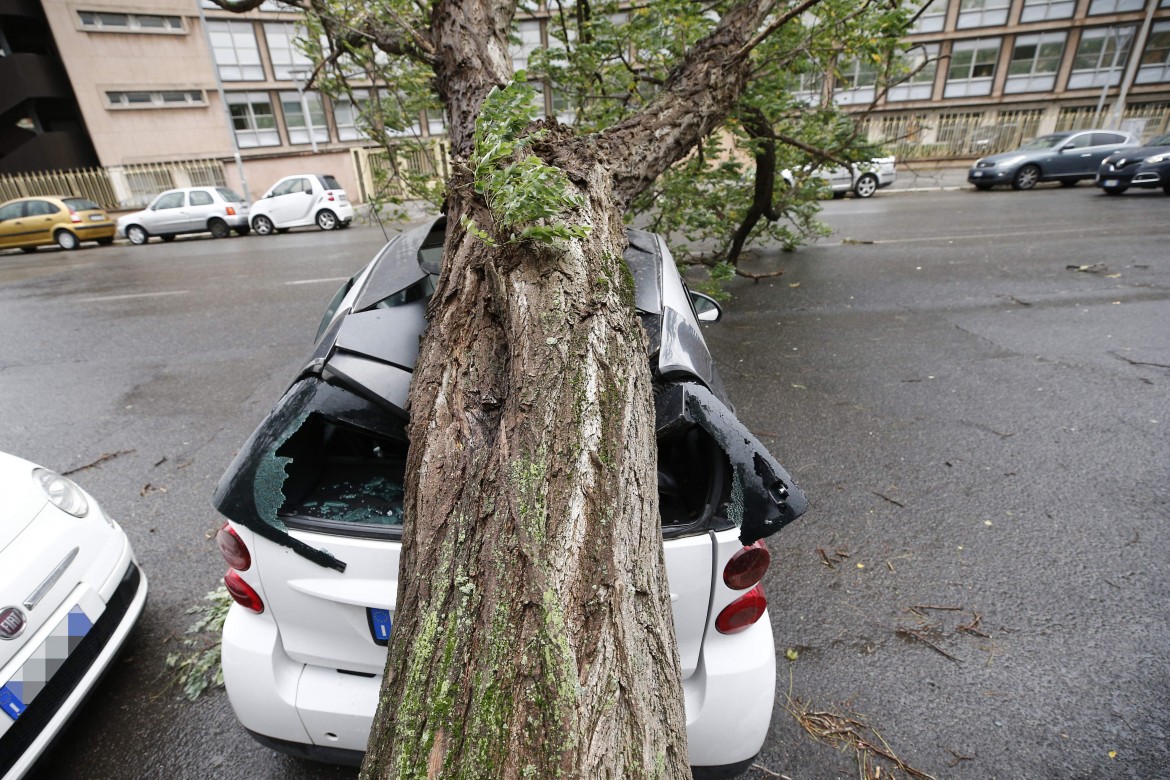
302 201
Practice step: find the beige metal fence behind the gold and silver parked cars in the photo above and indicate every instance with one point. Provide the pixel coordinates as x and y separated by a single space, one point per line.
118 188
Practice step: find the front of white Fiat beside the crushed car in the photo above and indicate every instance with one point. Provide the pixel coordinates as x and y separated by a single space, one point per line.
71 592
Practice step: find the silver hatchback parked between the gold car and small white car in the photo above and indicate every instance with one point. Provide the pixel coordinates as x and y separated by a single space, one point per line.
189 210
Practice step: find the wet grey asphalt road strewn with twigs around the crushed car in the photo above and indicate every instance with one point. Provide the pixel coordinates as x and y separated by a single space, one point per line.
980 588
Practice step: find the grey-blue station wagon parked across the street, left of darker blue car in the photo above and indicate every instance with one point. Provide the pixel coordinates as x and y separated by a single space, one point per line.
1064 157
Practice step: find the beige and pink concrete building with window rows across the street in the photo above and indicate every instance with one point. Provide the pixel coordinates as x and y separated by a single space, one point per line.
168 93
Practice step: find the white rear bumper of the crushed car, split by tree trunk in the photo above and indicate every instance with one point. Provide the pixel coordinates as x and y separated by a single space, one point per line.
326 715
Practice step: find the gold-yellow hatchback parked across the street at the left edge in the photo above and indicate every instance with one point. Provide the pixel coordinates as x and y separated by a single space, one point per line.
32 223
